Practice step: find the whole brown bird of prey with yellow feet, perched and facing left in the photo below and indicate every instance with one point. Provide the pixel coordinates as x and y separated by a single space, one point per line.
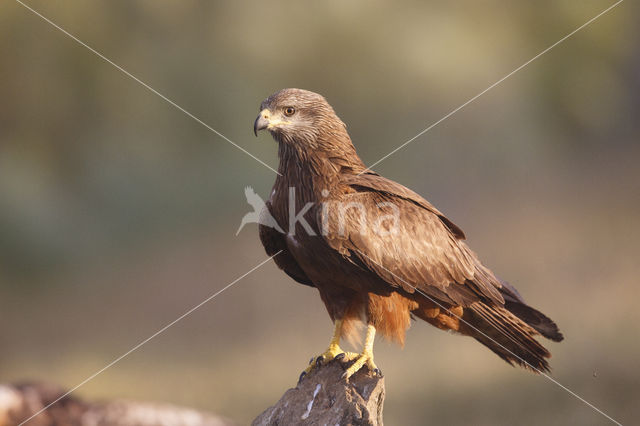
377 252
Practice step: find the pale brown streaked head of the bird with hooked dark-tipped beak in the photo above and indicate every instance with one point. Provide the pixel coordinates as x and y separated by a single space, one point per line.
296 116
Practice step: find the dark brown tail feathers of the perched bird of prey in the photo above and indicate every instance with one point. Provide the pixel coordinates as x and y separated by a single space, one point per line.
511 335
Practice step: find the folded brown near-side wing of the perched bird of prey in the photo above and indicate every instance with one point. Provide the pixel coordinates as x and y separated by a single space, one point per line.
407 242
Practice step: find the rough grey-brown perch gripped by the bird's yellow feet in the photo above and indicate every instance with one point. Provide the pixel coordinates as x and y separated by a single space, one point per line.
324 398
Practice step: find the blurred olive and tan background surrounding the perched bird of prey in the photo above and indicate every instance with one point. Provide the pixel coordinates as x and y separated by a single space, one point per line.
118 212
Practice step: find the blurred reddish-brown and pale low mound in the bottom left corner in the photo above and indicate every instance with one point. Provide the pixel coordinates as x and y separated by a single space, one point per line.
19 402
